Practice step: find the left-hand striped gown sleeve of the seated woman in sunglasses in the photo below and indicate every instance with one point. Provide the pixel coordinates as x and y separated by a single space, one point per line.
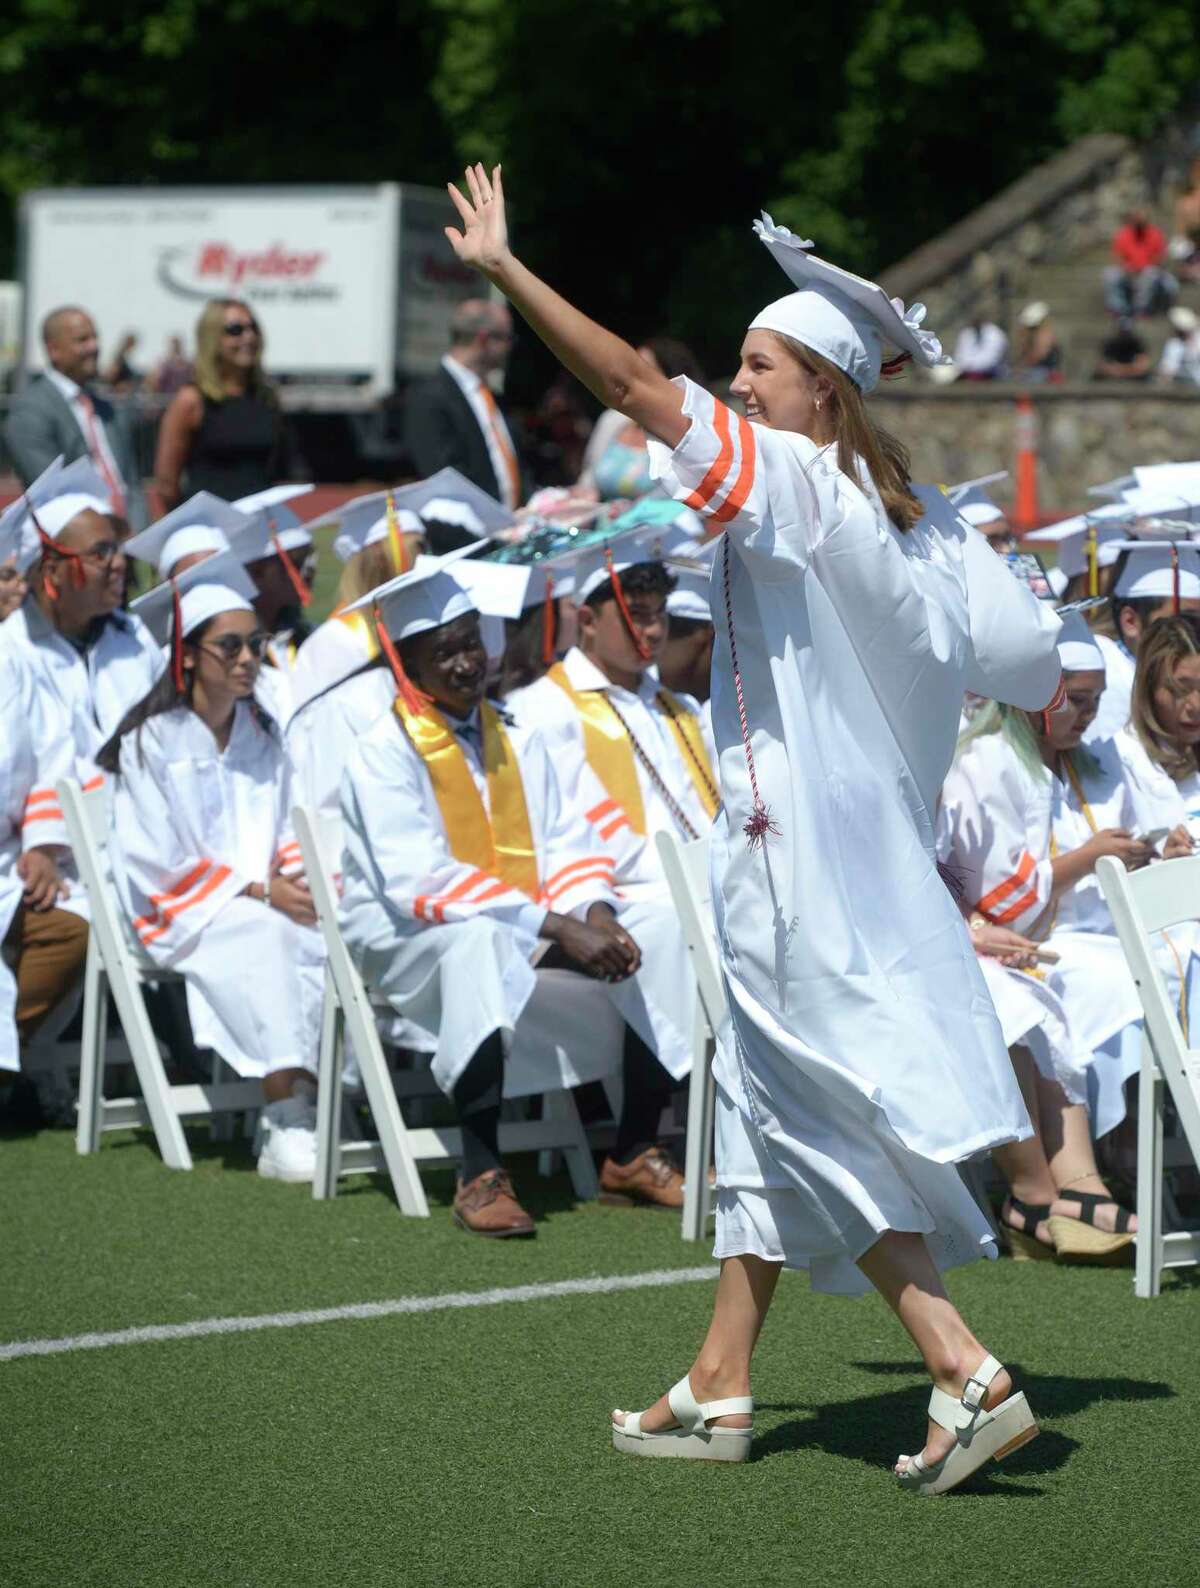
174 890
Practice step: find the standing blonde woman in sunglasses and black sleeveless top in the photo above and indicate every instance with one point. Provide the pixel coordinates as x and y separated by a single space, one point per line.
223 431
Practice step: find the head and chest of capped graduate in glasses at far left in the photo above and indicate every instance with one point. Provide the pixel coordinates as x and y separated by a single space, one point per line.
90 660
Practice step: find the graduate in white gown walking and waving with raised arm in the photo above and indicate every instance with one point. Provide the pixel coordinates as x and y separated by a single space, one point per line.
864 1058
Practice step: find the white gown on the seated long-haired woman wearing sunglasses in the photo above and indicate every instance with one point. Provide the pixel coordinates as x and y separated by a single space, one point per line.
194 827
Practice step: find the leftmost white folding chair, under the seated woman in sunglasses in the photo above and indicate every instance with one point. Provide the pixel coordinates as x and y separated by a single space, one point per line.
117 963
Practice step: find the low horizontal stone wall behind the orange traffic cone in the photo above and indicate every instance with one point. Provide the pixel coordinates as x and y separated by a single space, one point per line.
1087 434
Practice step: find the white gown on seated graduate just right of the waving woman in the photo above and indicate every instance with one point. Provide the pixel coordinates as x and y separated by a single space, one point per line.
1002 819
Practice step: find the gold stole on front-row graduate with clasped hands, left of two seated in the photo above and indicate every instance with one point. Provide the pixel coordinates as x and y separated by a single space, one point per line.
501 846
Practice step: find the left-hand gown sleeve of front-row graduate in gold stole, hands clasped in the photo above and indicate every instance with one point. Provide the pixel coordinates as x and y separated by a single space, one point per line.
399 855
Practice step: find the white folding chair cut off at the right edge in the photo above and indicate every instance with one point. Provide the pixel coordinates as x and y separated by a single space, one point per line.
1145 903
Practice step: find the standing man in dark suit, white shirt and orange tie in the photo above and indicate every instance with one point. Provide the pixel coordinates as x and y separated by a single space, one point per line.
455 417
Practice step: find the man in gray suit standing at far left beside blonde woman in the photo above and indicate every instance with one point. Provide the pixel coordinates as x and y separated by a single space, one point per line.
58 412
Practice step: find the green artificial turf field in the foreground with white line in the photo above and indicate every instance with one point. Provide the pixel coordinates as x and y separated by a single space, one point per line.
471 1447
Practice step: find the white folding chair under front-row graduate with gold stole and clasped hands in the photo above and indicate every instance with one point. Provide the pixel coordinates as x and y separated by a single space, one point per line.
399 1149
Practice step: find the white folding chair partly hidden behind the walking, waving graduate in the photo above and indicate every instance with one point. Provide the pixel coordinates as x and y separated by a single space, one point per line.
687 868
